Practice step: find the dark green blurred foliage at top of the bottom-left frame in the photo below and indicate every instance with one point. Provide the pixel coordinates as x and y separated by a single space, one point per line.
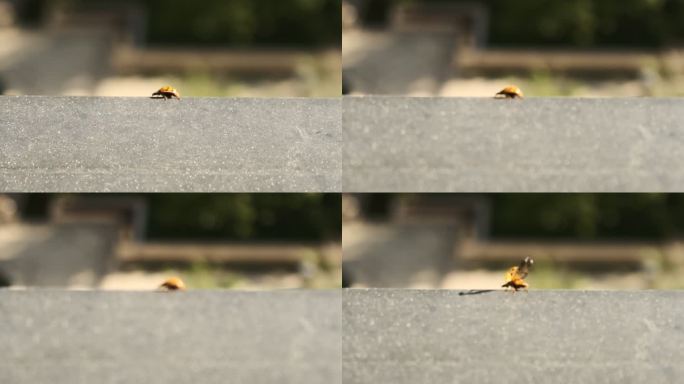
308 217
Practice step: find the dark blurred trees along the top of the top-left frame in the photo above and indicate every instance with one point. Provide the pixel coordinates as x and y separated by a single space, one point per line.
238 22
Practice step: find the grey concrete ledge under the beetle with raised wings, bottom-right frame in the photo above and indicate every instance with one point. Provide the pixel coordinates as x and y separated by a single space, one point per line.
404 336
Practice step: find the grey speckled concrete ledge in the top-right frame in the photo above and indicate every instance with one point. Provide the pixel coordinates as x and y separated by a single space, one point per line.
399 144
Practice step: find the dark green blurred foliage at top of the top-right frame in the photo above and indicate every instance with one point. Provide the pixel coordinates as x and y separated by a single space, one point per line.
581 23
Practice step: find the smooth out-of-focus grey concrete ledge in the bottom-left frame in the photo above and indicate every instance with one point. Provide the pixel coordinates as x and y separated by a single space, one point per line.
168 337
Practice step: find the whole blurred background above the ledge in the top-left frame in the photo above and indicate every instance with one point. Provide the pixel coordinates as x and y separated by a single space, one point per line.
132 47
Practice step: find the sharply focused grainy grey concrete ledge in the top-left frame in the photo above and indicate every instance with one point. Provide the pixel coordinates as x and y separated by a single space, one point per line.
82 144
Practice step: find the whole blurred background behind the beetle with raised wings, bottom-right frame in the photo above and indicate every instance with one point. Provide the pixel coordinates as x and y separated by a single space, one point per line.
468 241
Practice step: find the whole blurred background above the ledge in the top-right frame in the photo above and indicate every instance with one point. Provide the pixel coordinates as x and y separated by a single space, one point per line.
606 48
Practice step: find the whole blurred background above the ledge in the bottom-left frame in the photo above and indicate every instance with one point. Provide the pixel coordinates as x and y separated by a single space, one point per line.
136 241
